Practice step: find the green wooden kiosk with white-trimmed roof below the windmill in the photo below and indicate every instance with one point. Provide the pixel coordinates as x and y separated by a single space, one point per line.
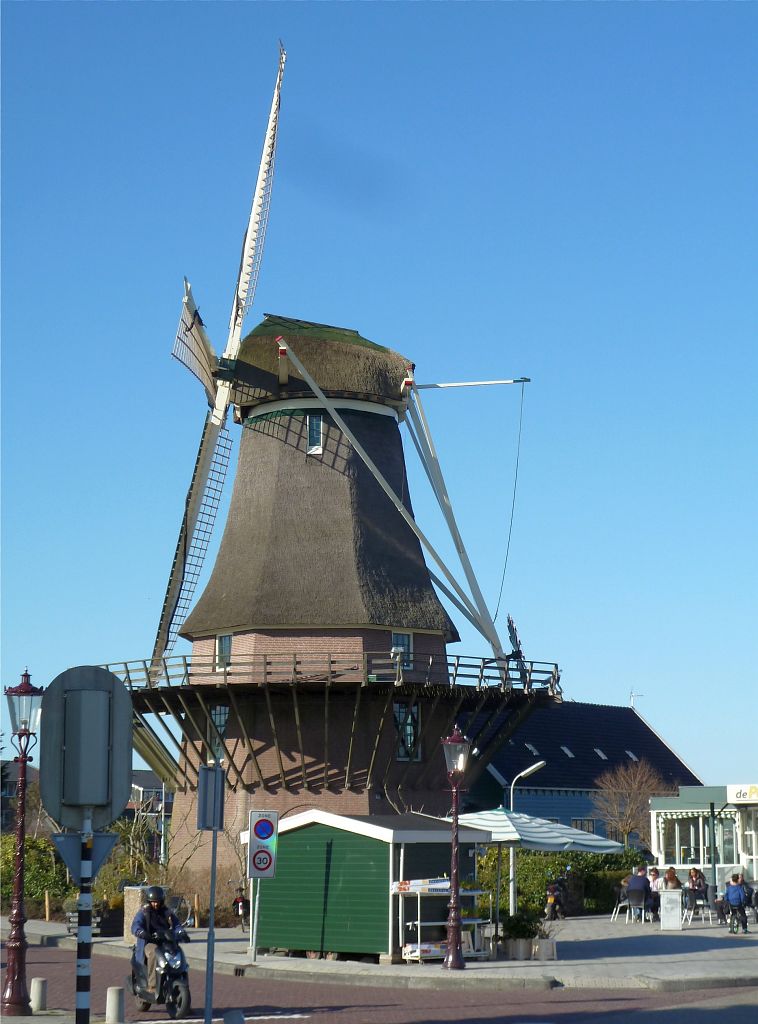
331 893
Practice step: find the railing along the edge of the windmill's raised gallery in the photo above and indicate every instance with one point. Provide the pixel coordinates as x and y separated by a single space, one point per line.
367 669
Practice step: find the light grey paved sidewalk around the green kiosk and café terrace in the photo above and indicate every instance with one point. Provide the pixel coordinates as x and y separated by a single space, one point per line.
594 953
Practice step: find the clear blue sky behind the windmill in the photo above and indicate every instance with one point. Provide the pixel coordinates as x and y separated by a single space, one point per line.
565 192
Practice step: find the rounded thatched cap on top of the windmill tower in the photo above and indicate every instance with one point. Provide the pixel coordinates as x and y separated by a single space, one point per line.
342 362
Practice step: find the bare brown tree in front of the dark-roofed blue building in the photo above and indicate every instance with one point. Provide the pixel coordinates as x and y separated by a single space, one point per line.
623 798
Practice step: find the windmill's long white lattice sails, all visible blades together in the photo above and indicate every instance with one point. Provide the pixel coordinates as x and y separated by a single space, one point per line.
194 350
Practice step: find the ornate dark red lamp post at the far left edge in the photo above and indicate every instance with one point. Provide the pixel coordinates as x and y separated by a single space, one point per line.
24 704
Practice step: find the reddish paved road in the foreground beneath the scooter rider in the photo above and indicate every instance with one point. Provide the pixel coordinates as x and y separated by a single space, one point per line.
334 1003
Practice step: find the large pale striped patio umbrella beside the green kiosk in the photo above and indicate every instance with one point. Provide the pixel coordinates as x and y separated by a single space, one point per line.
527 833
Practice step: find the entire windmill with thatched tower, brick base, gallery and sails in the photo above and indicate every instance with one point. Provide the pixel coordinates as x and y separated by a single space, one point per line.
320 672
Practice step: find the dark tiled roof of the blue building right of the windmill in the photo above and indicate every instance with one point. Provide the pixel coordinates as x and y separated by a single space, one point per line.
583 730
